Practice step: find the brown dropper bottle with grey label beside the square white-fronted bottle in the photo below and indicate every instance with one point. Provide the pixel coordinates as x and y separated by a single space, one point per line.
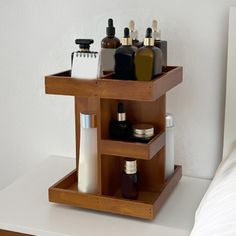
108 48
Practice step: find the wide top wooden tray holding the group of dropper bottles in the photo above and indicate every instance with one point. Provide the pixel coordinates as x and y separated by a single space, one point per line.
63 84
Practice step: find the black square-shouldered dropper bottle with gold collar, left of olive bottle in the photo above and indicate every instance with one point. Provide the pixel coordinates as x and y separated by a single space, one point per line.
124 59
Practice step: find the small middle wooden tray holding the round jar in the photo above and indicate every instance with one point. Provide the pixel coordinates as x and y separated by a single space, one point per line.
145 151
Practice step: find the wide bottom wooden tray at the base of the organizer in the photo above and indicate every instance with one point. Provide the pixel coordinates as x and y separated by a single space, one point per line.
146 206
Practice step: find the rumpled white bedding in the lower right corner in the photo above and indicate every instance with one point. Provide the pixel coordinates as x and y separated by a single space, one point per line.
216 214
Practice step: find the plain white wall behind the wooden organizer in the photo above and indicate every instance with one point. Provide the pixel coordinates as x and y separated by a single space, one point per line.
37 38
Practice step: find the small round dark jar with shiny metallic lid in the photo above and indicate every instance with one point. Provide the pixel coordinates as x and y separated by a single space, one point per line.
143 132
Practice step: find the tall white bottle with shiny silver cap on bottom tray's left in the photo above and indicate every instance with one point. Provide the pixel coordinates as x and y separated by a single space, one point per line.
87 169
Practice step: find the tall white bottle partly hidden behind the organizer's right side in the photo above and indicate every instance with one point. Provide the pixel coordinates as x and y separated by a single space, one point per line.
170 155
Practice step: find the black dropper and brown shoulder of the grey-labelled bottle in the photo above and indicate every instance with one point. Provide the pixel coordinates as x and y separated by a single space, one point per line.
110 41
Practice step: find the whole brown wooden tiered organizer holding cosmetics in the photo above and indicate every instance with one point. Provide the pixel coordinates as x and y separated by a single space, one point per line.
145 102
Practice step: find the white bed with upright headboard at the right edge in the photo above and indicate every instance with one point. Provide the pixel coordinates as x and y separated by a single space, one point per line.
216 214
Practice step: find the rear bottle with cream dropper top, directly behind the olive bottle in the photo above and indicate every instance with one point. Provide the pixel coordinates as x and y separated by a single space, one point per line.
156 34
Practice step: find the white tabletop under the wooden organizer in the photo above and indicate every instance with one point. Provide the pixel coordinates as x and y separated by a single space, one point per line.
24 208
